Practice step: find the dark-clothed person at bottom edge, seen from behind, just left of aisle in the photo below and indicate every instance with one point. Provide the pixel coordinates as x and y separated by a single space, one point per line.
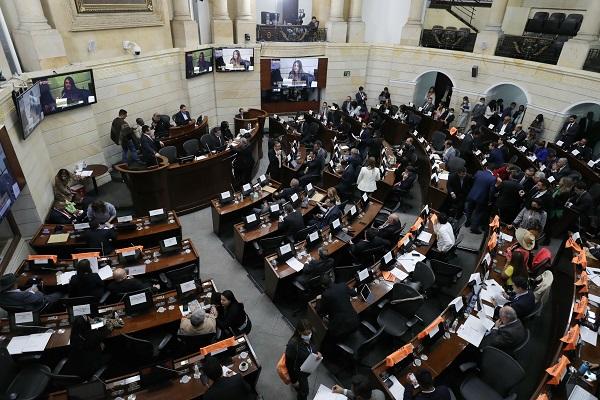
225 387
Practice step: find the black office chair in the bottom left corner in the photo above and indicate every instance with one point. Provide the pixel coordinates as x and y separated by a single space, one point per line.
25 382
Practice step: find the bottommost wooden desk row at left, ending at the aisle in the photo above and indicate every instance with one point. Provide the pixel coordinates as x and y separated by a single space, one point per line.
123 386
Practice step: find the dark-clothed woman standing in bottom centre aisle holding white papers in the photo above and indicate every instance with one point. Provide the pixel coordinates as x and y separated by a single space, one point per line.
296 352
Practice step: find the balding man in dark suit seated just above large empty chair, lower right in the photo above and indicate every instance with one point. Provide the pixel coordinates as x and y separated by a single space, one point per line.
507 333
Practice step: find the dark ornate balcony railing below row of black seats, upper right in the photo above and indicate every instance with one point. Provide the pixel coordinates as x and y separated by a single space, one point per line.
530 48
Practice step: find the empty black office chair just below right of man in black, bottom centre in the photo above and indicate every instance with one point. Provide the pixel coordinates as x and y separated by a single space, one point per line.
356 345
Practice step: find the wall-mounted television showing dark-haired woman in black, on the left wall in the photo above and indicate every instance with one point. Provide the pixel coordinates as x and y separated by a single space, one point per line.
65 91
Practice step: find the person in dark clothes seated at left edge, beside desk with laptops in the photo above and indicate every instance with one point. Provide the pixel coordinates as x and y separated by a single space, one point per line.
23 300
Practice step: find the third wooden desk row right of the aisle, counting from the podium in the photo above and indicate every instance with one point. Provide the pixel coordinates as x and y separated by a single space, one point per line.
275 273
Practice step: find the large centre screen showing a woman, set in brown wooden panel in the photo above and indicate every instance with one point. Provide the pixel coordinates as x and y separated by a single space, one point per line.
294 72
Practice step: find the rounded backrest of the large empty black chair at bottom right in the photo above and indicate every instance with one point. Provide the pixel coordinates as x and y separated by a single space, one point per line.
499 370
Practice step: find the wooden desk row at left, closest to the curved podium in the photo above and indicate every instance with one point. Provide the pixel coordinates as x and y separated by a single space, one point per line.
146 234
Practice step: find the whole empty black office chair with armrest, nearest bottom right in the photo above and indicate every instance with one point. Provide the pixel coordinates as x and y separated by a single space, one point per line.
497 375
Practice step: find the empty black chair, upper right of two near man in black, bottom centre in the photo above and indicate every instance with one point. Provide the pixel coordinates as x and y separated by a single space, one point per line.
399 314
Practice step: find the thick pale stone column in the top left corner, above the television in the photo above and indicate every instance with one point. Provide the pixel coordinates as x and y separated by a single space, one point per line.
38 45
